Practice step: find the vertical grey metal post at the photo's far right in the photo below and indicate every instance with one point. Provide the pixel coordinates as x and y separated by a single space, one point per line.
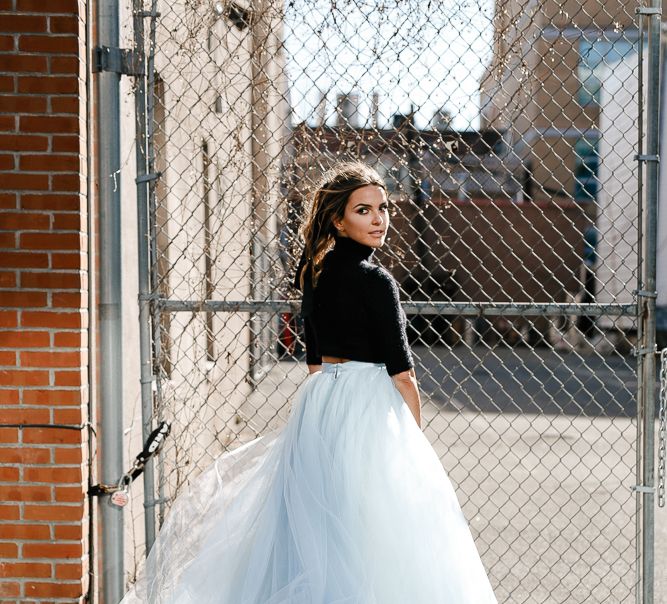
648 297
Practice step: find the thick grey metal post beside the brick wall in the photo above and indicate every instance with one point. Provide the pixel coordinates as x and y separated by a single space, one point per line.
110 427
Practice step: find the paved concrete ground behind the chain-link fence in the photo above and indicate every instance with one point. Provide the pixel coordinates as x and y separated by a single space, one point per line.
540 447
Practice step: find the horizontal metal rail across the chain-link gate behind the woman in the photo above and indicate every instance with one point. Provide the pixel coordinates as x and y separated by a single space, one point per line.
420 308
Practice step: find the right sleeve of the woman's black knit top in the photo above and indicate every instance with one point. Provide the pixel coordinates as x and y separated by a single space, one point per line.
389 321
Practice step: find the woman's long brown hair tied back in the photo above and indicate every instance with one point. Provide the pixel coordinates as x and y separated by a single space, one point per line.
327 204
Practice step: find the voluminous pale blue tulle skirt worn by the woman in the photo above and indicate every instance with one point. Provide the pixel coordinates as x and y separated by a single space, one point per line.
347 503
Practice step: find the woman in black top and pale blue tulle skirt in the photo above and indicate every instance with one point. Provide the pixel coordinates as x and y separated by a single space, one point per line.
348 502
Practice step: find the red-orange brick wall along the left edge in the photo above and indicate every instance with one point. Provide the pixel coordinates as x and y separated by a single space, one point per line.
43 302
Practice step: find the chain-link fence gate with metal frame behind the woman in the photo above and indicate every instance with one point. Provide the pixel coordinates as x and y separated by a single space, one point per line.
506 132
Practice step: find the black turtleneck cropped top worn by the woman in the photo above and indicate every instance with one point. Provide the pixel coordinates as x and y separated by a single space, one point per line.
355 311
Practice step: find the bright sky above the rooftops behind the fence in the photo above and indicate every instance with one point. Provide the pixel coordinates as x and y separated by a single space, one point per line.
428 53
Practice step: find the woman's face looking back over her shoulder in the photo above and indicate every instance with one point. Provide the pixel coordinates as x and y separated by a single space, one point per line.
366 217
